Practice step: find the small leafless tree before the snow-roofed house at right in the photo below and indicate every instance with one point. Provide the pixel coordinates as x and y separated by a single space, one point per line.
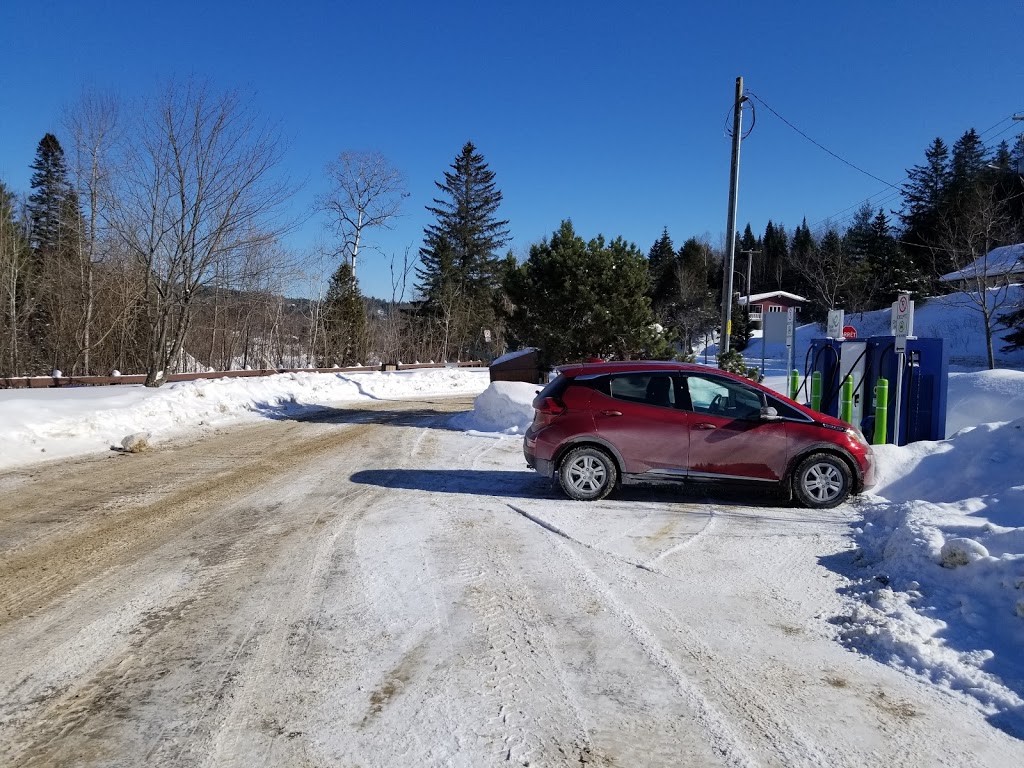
965 236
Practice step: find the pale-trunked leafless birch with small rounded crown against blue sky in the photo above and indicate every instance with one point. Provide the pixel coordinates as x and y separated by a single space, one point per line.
366 194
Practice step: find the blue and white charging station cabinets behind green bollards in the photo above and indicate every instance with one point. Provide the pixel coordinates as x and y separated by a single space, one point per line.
918 383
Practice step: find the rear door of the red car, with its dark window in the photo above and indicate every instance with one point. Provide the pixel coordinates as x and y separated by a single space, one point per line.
636 412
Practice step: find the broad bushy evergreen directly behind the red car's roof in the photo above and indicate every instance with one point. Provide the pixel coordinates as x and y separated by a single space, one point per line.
576 301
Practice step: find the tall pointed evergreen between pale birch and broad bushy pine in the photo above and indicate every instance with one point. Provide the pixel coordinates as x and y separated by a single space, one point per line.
460 271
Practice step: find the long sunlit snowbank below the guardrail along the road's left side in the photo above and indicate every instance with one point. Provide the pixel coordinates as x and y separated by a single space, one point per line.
41 424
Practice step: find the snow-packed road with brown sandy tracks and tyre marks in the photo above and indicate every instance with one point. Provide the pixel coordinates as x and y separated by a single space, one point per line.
367 587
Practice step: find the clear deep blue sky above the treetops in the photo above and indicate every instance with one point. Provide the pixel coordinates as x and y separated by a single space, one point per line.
611 116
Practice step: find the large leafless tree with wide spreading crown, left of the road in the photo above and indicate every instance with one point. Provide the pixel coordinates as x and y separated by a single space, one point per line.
198 190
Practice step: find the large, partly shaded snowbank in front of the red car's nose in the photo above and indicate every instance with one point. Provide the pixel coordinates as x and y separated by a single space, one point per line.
943 544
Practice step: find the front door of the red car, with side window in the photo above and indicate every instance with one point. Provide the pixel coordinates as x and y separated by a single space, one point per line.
729 439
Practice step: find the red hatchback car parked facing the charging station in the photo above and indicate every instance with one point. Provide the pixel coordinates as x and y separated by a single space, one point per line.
600 425
